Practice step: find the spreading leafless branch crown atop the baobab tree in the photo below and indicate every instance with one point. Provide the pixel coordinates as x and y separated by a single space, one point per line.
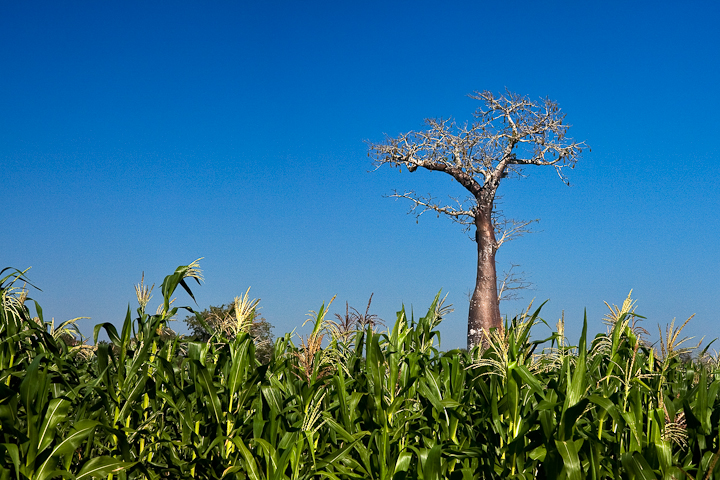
509 130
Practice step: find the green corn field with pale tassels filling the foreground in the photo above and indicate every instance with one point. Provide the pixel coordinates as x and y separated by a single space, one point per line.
347 401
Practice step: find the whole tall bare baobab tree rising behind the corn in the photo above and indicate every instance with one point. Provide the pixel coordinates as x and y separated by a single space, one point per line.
509 132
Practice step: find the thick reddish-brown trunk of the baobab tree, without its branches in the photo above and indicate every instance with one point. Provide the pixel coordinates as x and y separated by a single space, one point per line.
484 306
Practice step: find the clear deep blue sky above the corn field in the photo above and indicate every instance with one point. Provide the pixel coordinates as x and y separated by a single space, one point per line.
138 136
